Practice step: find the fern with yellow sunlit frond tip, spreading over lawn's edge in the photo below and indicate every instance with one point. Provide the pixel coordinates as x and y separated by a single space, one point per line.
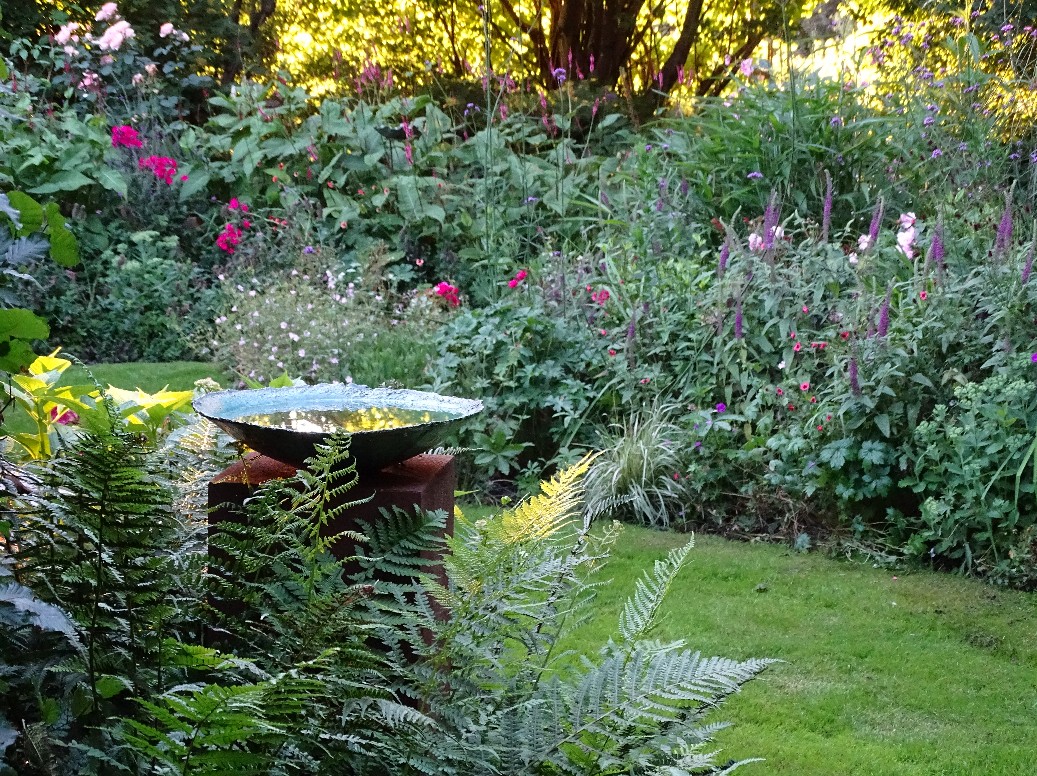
490 677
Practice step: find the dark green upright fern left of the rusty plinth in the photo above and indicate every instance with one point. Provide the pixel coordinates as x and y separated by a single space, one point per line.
96 547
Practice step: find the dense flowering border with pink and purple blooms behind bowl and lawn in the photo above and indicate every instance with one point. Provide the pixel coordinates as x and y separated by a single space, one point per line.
787 289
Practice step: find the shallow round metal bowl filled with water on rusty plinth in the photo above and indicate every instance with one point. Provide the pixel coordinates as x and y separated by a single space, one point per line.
388 425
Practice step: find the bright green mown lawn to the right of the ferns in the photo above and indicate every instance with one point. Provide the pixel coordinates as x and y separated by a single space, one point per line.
886 675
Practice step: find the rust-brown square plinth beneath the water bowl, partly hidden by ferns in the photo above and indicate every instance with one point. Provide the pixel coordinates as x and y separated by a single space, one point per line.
425 482
